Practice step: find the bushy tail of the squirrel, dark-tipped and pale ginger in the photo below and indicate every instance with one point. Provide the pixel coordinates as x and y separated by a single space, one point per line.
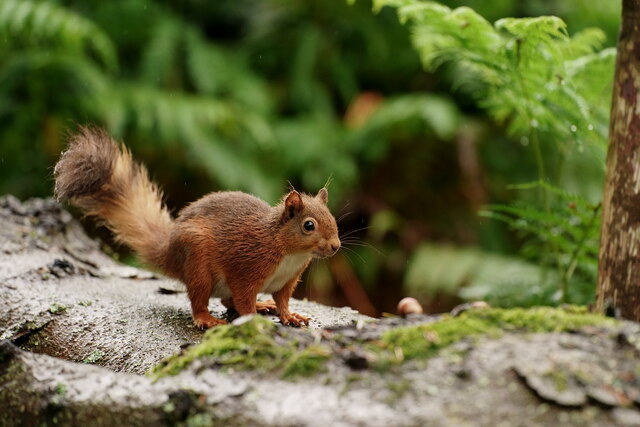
100 177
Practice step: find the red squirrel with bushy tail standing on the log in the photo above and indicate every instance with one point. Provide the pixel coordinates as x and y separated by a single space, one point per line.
227 244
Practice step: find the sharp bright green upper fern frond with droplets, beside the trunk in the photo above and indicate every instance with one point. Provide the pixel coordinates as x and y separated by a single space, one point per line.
527 72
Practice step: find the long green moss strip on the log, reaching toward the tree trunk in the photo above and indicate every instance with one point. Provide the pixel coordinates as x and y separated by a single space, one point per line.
419 342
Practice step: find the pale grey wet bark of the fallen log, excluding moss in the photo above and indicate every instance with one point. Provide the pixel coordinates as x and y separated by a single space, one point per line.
79 329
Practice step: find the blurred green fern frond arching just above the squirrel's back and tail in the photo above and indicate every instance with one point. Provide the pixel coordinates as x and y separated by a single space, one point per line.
217 134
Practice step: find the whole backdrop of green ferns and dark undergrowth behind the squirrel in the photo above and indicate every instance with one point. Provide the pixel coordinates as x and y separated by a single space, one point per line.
250 94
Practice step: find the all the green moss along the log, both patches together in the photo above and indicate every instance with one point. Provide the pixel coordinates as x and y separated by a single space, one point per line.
258 344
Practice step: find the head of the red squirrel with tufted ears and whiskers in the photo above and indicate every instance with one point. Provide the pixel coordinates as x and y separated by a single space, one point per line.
308 224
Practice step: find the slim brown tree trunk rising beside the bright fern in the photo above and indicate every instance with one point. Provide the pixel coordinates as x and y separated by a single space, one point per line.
619 266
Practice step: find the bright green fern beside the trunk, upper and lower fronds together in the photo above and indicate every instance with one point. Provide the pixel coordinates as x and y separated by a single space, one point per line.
547 87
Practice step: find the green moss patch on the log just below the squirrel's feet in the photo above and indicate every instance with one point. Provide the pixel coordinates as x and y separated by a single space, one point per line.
254 345
